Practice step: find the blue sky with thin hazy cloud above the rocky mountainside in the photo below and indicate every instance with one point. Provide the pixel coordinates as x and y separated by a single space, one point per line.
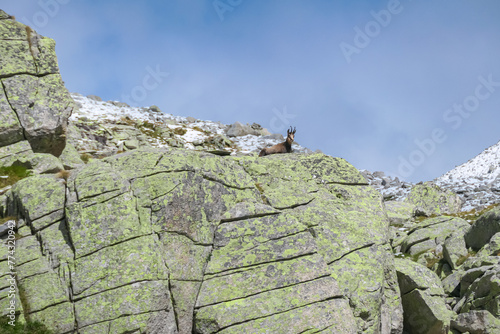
411 88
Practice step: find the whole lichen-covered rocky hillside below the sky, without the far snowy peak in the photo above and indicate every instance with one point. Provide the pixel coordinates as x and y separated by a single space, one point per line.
152 223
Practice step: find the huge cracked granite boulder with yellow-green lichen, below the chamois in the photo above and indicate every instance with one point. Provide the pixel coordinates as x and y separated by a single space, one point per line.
177 241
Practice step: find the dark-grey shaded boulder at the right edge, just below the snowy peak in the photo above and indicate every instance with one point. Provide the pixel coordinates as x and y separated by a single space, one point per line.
483 229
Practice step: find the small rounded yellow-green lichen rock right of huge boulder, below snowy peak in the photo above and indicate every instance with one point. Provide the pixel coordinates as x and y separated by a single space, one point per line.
430 200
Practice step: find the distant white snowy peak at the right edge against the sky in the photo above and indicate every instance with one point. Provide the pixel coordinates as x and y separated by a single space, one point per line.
484 167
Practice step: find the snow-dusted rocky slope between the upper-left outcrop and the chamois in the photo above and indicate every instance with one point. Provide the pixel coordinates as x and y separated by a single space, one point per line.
104 128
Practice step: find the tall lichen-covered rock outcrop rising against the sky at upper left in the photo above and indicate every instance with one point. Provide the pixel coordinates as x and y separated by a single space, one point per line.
34 102
